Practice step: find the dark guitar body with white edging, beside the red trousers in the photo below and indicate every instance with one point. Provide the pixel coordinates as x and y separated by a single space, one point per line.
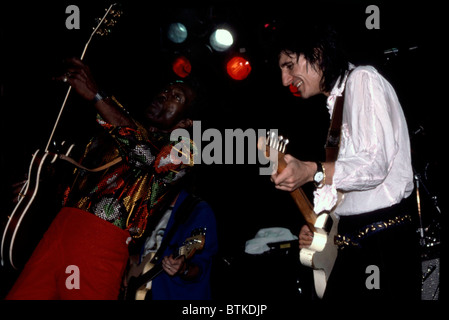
25 222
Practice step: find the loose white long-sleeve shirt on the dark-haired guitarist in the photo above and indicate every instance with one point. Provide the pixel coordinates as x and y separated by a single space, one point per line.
373 168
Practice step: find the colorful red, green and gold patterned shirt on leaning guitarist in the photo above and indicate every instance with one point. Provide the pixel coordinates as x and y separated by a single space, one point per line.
129 192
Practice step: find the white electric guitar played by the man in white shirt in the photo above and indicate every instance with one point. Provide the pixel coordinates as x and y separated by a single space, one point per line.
322 252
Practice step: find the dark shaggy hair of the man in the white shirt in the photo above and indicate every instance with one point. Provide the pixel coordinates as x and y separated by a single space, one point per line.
321 47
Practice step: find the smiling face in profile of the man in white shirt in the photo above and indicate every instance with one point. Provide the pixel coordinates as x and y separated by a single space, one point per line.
300 73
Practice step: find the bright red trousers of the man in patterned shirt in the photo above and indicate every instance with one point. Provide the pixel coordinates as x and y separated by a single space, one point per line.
80 257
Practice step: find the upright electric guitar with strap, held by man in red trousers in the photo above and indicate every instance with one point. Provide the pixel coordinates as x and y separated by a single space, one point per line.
15 247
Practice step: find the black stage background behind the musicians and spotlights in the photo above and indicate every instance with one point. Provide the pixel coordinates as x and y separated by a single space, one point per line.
134 62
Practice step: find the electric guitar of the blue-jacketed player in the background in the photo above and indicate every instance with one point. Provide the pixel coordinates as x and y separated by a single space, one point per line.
140 276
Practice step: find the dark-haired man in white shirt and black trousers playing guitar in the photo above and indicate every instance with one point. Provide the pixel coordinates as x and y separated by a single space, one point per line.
372 170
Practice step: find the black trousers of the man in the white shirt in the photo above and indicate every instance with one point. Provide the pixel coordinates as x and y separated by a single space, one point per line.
387 265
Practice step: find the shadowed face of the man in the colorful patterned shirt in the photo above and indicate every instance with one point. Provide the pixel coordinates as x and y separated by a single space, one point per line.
166 111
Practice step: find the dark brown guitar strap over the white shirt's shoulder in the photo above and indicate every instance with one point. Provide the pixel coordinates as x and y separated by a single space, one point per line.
334 133
